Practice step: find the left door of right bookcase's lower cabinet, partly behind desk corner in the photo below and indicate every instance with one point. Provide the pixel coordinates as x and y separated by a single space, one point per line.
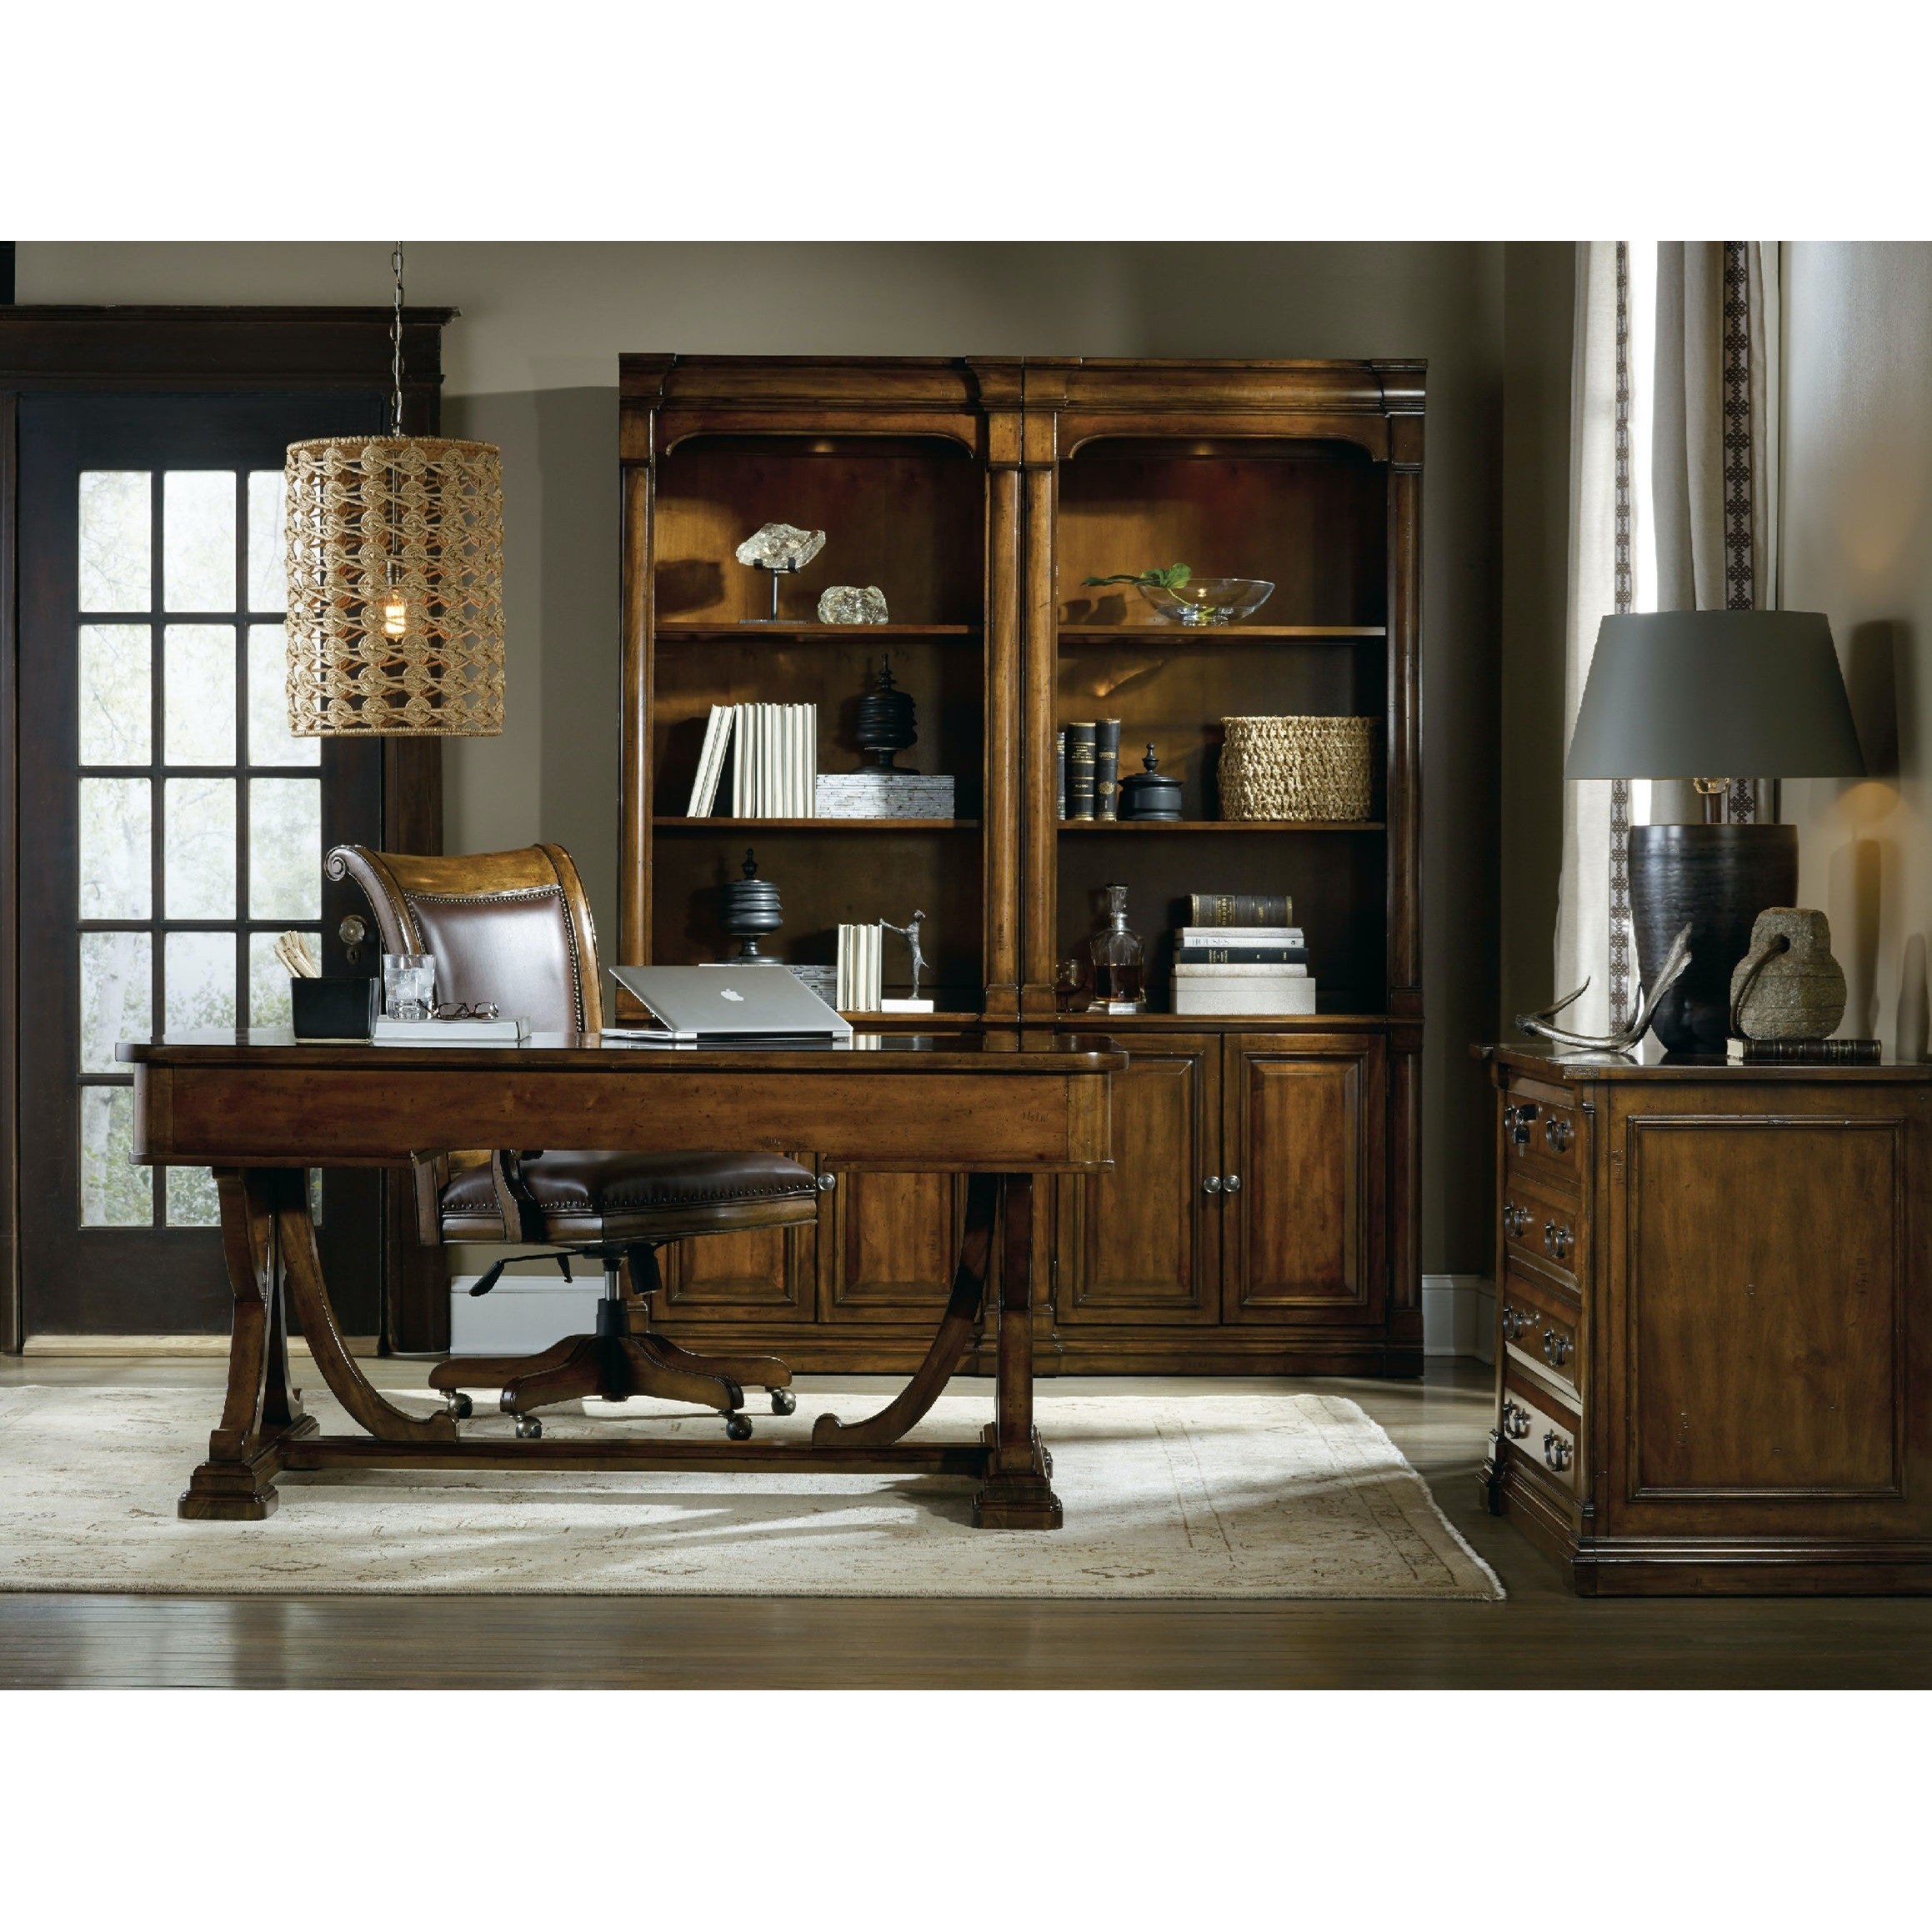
1143 1243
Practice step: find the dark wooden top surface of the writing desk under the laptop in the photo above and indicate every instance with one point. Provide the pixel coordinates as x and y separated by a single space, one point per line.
886 1054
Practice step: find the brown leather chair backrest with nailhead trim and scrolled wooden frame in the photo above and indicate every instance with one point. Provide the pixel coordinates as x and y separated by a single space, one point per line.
513 928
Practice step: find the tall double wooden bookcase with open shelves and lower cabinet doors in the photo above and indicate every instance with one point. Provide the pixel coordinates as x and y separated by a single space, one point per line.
979 494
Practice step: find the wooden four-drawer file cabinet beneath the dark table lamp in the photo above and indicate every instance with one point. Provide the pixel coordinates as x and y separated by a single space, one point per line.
1715 1350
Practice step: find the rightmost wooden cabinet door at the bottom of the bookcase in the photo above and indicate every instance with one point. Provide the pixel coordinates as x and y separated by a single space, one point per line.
1305 1133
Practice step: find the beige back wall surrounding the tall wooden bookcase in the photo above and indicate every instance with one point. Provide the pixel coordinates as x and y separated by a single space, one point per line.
532 366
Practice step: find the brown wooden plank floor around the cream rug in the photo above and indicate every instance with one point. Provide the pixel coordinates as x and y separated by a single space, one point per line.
1543 1637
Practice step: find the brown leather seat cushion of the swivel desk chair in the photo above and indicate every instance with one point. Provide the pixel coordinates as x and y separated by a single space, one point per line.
637 1197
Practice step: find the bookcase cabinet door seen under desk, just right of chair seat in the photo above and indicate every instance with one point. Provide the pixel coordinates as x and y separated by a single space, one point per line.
892 1249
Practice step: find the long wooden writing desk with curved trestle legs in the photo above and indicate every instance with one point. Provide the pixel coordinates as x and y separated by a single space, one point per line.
260 1110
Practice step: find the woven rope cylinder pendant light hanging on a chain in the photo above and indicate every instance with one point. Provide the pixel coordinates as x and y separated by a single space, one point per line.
395 581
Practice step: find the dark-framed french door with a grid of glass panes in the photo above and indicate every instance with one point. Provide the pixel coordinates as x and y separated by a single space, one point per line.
171 830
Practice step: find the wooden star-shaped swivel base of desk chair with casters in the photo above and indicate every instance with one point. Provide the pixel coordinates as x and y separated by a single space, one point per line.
615 1365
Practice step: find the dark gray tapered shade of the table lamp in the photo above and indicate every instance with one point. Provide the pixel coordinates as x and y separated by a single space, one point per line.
1715 695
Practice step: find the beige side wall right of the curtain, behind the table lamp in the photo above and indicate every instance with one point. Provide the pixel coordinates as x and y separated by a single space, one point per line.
1858 544
